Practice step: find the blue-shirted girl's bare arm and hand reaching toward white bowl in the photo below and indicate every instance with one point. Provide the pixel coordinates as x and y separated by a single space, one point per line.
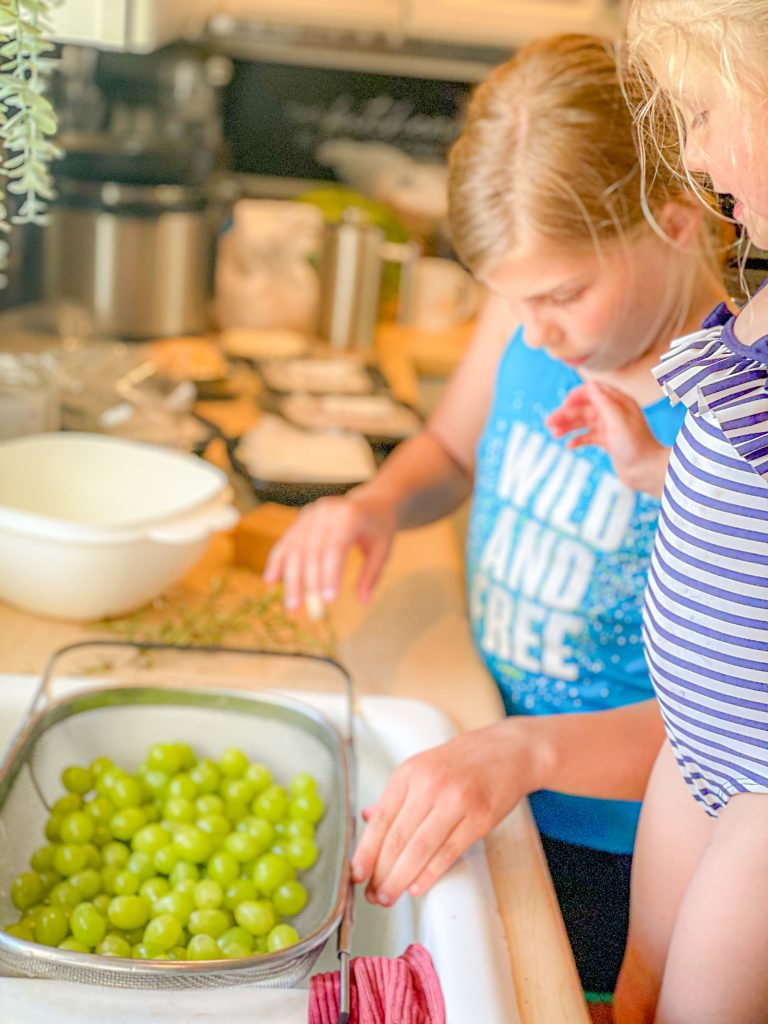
421 482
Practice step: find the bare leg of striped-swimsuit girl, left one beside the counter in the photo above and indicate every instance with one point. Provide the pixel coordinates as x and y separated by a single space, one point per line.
672 835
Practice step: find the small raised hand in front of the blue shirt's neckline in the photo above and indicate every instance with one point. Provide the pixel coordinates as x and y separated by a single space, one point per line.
612 420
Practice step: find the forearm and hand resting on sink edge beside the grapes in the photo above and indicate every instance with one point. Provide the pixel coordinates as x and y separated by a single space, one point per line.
440 802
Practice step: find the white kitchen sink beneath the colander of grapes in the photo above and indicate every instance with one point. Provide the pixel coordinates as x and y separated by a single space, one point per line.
457 921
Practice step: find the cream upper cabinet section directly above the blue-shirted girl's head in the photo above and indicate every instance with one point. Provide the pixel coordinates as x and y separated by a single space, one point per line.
506 23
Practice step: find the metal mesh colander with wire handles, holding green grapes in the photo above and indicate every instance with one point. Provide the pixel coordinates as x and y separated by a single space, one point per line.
122 721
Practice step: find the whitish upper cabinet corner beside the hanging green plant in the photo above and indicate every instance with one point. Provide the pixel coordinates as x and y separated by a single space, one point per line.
139 26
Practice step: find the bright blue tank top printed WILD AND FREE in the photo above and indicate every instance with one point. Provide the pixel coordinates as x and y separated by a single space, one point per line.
558 558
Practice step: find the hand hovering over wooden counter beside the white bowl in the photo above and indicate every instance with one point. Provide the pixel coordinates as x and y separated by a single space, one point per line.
310 559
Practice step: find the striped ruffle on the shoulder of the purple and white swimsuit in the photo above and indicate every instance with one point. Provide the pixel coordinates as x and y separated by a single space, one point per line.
710 378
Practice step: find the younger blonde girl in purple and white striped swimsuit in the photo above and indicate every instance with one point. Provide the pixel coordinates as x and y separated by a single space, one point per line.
698 950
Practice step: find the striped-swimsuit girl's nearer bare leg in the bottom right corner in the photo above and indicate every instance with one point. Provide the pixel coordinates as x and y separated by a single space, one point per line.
717 969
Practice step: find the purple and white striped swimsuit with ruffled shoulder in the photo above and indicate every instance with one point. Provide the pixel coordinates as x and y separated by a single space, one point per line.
706 620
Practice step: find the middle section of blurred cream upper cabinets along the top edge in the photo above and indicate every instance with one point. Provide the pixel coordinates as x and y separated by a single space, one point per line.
353 15
